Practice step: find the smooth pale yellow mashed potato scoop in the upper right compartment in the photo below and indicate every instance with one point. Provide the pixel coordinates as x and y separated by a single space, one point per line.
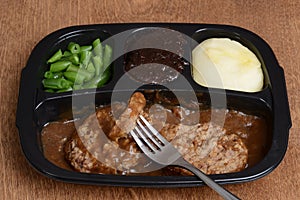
225 63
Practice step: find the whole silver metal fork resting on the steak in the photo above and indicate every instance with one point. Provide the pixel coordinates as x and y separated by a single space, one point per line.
157 148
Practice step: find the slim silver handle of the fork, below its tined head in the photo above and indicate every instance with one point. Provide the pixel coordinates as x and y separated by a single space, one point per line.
208 181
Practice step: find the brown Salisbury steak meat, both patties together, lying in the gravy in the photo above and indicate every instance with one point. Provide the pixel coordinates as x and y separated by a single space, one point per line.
102 144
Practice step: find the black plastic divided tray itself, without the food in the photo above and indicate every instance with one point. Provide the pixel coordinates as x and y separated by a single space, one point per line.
36 107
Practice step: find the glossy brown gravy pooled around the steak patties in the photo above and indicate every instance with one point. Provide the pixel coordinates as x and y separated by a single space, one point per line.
252 129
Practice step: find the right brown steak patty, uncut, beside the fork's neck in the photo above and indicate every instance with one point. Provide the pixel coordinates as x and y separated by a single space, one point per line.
210 149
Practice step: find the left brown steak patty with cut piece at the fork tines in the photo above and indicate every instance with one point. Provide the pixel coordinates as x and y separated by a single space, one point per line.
92 150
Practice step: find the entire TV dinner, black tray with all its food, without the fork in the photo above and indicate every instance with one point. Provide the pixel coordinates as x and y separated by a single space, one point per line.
80 143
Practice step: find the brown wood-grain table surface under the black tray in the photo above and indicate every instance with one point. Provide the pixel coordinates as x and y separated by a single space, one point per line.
24 23
